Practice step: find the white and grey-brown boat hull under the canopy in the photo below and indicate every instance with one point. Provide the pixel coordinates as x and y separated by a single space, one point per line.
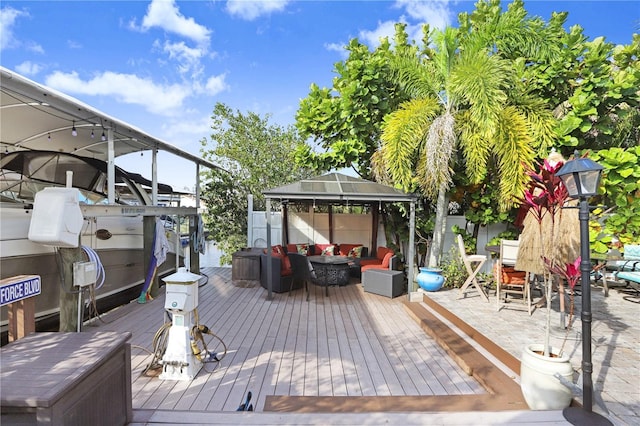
121 255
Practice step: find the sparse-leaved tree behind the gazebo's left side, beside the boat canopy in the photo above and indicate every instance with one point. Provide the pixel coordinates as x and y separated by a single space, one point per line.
253 156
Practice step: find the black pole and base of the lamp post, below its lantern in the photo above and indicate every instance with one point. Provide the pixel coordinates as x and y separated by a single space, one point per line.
585 415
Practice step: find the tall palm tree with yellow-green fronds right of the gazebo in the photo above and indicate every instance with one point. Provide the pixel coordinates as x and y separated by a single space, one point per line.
469 102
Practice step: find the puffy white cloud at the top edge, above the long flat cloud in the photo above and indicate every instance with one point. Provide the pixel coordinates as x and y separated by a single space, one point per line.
165 15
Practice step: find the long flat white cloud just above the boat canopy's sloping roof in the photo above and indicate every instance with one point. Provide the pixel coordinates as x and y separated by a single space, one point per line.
127 88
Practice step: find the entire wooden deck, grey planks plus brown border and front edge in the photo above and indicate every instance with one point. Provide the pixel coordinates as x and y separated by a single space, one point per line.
352 353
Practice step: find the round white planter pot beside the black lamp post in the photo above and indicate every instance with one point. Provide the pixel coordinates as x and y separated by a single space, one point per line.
541 390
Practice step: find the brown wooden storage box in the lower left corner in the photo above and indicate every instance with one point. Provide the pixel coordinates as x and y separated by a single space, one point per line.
66 379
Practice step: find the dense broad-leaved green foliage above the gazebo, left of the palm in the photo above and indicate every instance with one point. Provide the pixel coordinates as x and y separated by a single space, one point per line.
344 121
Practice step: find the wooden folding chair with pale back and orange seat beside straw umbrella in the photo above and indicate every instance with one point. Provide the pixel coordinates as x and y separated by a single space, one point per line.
508 280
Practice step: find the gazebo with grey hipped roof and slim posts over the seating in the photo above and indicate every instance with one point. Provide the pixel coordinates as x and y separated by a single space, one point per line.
339 189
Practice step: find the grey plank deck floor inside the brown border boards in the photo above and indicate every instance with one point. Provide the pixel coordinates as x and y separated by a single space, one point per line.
349 344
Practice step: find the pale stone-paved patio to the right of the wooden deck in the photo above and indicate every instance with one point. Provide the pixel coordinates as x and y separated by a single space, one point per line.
615 340
